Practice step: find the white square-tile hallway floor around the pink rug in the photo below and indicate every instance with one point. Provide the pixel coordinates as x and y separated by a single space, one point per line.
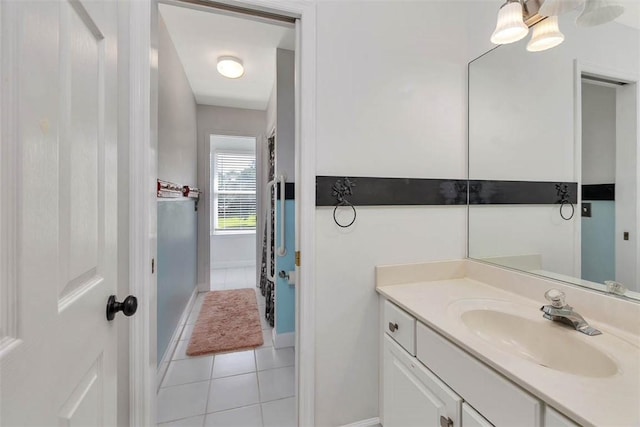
244 389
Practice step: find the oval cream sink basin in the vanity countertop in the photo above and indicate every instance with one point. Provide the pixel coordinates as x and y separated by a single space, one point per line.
543 342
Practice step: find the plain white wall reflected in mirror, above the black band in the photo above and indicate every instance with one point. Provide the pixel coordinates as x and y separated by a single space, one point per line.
521 123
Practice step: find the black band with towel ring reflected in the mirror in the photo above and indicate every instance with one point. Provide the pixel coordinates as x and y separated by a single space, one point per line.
483 192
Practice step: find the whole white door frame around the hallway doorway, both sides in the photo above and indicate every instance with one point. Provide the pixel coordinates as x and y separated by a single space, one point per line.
143 103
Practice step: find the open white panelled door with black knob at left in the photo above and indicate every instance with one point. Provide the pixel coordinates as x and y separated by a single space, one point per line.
58 215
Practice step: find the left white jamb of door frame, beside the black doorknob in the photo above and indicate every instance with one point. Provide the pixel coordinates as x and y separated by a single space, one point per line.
143 143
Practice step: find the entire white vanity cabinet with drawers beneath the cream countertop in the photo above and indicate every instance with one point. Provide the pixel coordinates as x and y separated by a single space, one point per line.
443 385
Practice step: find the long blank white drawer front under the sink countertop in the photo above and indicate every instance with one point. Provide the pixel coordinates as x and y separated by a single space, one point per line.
501 402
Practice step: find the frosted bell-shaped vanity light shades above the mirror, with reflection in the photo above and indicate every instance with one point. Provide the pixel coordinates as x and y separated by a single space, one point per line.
515 17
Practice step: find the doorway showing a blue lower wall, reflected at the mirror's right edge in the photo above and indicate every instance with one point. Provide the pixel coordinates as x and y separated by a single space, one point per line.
609 180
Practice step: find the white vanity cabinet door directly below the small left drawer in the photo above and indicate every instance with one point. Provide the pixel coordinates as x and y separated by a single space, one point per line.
412 395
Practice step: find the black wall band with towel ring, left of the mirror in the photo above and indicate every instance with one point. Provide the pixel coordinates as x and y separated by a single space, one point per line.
369 191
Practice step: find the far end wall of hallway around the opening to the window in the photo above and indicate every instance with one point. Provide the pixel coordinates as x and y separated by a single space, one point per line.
219 121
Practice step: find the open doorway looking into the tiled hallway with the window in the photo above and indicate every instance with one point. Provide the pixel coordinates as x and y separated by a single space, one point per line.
244 139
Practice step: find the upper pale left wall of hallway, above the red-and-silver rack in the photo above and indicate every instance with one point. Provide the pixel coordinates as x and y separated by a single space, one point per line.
176 116
